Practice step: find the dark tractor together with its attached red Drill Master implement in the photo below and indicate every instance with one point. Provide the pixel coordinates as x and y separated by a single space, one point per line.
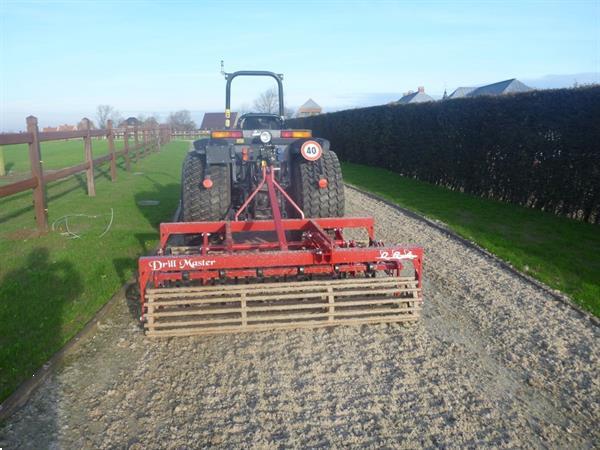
260 239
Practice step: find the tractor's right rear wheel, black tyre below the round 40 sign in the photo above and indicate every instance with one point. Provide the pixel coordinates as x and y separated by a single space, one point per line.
312 199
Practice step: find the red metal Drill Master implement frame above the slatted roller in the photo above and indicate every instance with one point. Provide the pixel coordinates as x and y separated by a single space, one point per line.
317 253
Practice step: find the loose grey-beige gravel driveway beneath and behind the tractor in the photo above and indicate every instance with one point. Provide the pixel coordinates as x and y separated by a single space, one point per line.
494 361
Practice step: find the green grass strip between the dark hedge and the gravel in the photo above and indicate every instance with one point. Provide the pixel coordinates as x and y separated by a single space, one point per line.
563 253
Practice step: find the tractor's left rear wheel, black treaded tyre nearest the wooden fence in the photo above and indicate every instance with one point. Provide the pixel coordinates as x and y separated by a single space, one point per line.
198 203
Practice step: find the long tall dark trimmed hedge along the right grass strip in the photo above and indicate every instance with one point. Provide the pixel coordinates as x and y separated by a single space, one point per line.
539 149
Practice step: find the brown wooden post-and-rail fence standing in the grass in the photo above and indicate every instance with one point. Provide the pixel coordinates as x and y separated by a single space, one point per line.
145 140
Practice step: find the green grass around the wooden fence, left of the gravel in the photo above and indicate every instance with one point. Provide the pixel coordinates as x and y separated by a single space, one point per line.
51 286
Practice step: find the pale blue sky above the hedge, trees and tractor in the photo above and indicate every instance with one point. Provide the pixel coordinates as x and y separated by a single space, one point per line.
59 60
